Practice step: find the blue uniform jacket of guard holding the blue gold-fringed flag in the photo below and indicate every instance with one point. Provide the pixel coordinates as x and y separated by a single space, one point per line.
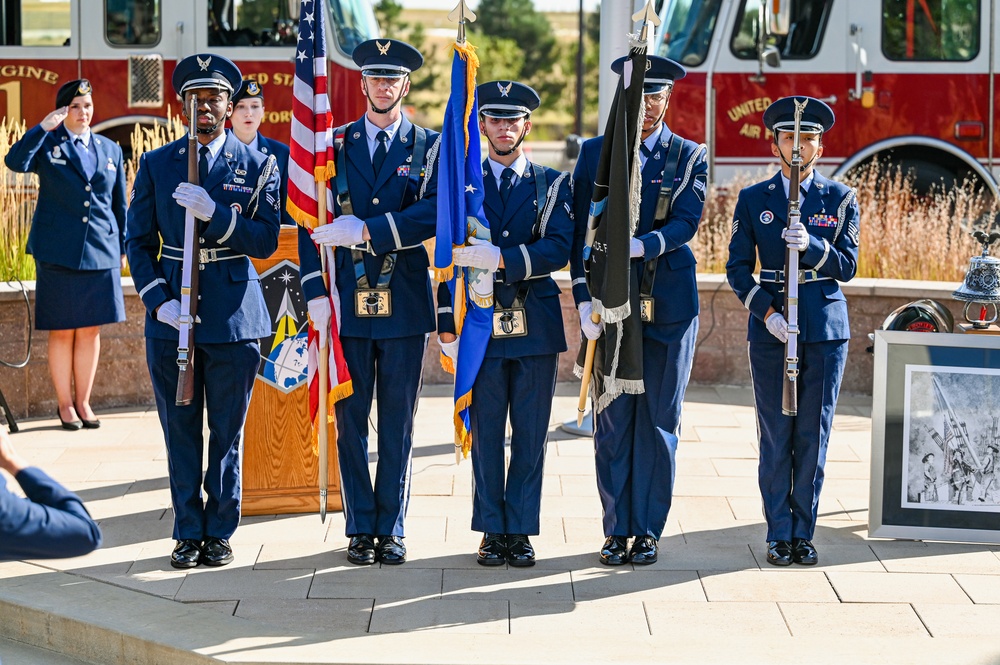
528 254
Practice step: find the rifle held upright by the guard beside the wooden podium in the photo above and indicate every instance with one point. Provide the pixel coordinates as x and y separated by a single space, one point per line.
189 274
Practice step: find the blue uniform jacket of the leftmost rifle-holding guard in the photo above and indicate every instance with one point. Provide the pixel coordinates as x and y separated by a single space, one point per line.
232 305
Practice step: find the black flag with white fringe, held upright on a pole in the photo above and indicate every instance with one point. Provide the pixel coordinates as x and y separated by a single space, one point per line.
614 214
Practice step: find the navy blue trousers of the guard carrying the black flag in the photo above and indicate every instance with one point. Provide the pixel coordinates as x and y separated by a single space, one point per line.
635 437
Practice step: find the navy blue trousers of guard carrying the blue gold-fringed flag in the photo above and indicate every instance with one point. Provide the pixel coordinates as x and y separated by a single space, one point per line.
522 388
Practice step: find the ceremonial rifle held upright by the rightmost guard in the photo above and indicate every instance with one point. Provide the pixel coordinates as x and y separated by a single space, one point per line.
789 386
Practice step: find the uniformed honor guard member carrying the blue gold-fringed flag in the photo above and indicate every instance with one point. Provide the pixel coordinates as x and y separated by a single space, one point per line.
529 208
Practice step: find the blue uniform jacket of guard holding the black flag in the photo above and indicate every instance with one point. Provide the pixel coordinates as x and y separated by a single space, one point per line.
675 290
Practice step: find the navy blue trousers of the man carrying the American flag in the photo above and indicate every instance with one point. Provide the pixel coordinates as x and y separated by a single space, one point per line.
395 366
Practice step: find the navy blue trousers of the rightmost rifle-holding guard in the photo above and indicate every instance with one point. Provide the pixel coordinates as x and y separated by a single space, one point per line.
793 448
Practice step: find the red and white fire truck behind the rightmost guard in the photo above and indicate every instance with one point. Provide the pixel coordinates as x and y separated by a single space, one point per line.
913 82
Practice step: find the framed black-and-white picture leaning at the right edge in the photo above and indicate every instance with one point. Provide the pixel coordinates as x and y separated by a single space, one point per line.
936 437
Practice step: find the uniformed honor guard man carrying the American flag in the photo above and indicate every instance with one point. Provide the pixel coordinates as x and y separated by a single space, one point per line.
384 210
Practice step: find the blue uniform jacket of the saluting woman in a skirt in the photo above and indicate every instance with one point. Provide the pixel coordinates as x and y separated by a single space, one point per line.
79 223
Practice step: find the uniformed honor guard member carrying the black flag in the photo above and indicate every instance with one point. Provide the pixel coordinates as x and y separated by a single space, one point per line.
635 437
